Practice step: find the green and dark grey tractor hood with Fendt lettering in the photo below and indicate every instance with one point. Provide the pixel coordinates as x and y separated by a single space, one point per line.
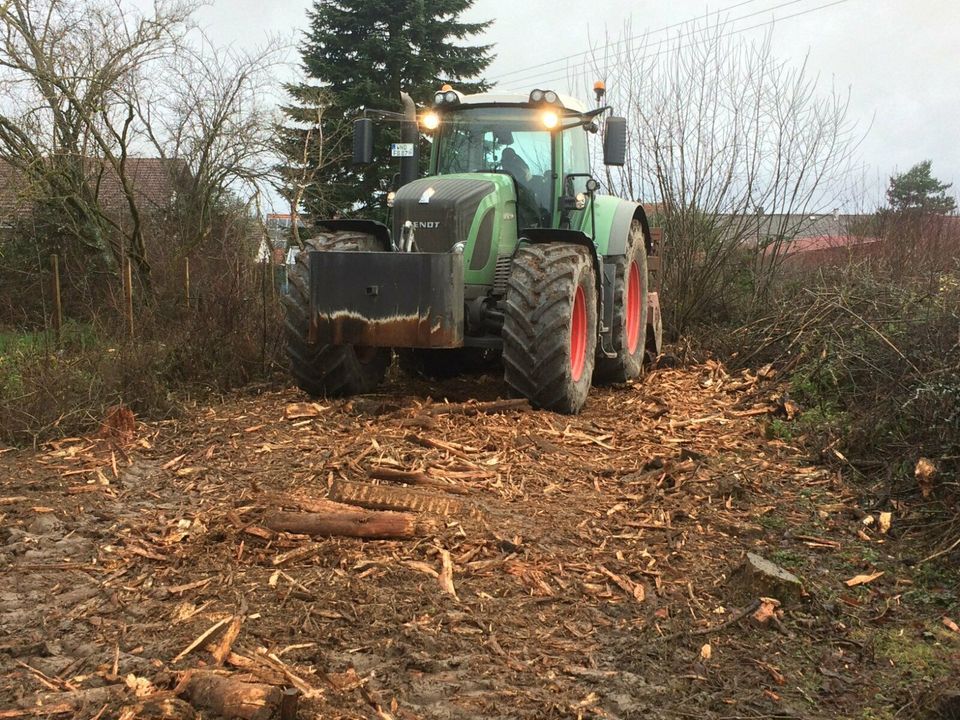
444 209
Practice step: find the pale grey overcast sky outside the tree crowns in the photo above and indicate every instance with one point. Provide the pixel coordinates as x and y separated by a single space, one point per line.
900 59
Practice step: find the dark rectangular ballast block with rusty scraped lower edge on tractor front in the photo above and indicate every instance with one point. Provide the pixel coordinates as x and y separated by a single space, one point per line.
387 299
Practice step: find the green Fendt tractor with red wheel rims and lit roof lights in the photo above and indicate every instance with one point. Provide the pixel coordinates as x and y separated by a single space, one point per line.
504 249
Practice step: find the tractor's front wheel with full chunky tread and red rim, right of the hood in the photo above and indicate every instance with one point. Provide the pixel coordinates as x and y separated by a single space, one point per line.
550 326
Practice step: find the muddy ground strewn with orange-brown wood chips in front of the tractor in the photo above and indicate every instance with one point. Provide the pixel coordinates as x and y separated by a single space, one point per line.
586 573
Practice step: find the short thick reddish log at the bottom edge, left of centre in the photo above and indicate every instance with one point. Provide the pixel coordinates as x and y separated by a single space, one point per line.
228 697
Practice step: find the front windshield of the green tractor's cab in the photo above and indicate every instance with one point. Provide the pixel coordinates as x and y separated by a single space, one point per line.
505 139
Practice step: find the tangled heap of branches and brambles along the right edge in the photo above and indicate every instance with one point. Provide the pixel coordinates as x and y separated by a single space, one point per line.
874 370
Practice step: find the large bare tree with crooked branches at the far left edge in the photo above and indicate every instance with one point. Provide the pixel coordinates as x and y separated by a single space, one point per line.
69 122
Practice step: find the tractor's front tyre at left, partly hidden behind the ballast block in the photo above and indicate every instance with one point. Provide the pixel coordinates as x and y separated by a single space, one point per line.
328 370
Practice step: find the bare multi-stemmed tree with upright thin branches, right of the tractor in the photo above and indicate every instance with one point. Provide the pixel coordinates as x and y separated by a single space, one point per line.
736 149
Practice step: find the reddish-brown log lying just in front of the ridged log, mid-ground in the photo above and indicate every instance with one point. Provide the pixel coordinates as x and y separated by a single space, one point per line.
330 518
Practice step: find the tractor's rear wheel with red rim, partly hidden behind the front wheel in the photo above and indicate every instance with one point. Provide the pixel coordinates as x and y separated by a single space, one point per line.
629 331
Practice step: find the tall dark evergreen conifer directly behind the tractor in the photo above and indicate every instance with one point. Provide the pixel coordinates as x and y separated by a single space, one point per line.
361 54
